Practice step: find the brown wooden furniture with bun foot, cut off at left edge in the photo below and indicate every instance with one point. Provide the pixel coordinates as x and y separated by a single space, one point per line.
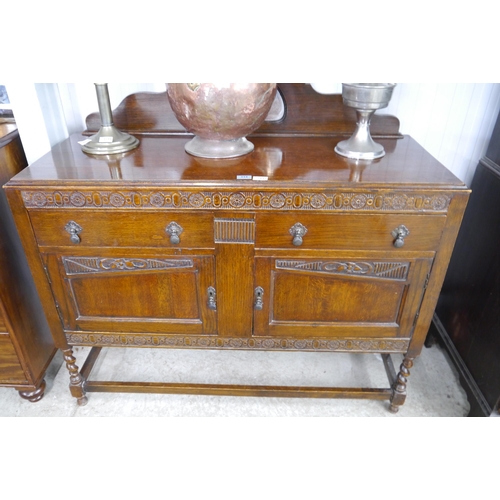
26 346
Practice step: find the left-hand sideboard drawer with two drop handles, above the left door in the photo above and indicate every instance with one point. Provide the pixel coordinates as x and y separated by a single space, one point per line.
122 229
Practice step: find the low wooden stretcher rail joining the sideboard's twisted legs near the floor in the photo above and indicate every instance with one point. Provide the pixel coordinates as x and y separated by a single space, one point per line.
235 390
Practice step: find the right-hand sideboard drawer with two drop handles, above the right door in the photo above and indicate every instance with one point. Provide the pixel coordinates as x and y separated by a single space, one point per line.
349 231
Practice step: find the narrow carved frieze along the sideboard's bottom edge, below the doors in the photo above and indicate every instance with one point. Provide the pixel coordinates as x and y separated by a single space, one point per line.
253 343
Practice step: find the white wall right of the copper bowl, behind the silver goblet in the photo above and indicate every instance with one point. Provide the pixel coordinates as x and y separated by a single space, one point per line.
453 121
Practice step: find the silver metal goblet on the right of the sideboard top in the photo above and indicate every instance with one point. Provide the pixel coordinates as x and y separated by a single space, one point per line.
365 98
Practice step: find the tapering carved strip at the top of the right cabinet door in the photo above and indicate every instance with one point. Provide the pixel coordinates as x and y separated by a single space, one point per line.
387 270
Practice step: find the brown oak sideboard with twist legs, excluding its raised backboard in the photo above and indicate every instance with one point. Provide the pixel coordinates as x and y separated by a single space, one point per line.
319 256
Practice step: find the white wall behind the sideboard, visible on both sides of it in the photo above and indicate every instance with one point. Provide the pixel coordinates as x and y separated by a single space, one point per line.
452 121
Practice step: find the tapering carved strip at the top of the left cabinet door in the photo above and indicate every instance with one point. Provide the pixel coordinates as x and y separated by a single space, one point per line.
78 265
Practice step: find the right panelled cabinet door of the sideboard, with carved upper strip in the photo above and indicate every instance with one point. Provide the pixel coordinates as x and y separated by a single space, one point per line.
338 298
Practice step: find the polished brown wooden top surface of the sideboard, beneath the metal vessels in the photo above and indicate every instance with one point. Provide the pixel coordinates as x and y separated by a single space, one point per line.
285 161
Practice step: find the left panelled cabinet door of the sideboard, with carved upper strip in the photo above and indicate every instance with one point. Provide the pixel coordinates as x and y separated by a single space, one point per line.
158 294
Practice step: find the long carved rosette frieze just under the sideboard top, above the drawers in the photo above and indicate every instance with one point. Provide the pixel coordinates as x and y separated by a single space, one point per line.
241 200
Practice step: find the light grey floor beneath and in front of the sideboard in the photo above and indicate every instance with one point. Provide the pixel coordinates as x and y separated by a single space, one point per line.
433 388
